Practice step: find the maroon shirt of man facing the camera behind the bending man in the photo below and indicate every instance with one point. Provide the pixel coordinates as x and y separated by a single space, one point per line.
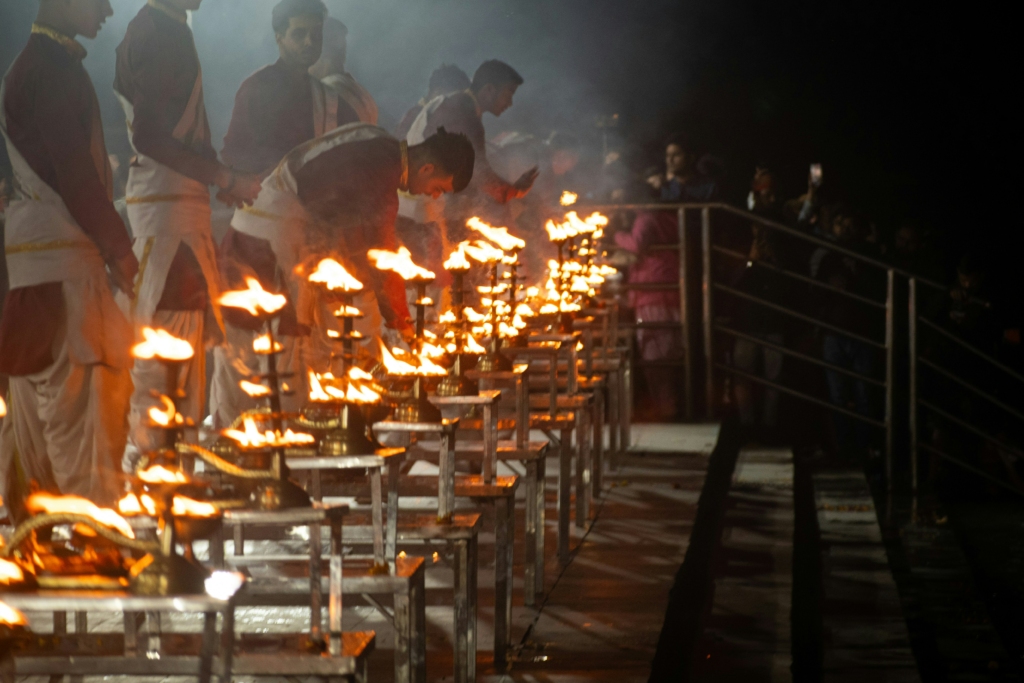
274 114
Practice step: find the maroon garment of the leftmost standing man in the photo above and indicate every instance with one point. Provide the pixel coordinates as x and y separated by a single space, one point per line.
50 104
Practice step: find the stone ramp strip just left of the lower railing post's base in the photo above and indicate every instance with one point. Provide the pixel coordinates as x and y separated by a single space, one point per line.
865 632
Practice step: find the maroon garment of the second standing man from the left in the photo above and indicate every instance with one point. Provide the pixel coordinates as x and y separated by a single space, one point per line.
157 67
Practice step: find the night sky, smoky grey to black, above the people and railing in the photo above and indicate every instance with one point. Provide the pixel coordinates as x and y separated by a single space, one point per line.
904 105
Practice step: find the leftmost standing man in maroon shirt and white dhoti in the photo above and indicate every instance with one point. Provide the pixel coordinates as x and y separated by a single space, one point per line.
63 339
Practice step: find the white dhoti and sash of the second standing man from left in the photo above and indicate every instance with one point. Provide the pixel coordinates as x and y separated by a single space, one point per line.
167 210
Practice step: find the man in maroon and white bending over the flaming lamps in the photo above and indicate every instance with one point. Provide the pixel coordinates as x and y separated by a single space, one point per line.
336 196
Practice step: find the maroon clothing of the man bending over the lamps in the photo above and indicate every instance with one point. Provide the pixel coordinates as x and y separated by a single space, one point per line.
355 187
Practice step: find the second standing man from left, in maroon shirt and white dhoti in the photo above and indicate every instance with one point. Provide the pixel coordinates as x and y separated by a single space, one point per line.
159 83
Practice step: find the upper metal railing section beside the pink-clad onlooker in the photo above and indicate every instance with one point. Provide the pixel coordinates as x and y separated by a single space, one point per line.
710 327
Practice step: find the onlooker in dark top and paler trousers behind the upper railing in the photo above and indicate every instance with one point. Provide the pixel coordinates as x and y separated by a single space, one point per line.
759 280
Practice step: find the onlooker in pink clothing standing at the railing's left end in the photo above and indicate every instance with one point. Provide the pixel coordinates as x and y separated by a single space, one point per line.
656 306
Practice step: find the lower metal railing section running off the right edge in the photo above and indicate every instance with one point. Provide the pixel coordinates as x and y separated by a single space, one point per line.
917 323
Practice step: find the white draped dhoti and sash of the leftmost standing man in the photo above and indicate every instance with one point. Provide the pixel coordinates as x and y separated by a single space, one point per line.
68 420
